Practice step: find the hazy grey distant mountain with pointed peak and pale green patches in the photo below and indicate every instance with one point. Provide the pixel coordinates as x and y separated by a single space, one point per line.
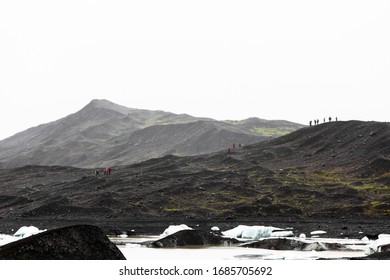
103 133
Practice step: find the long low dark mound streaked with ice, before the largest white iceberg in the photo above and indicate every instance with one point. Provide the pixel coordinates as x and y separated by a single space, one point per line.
292 244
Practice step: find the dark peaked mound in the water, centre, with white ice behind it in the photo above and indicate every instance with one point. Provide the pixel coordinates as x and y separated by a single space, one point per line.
190 238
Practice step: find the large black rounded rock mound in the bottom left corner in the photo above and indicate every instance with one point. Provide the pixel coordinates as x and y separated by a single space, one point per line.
80 242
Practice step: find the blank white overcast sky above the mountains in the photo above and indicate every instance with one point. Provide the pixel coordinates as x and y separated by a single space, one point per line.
279 59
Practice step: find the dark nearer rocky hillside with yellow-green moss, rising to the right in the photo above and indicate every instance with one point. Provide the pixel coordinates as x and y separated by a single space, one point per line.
337 171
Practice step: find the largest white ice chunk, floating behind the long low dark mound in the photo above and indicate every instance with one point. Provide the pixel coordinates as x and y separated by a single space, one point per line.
256 232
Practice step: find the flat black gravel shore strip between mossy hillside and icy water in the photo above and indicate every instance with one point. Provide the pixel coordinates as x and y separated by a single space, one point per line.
335 228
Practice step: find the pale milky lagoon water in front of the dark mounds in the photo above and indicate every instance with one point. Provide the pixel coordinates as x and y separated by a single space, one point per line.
132 250
